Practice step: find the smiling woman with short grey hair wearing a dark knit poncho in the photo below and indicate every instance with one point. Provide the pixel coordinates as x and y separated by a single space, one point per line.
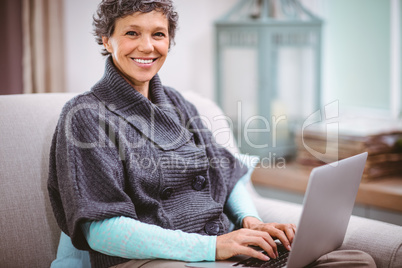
133 172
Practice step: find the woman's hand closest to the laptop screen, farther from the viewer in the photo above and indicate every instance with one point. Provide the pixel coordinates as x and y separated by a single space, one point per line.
284 232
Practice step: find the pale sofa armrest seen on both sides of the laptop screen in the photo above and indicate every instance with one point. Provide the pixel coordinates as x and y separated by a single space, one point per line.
383 241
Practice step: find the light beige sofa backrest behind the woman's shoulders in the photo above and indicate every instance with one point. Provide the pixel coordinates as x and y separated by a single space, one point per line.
29 234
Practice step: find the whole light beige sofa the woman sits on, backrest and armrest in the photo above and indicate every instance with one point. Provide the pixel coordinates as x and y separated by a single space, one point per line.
28 232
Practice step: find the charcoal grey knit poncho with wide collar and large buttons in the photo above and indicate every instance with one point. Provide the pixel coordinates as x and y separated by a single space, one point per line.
116 153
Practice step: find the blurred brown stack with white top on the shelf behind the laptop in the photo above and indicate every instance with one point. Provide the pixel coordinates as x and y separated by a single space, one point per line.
382 139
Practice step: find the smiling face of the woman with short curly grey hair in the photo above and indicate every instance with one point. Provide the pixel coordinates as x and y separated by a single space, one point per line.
139 46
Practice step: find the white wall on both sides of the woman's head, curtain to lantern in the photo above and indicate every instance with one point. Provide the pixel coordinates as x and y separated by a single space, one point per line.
190 65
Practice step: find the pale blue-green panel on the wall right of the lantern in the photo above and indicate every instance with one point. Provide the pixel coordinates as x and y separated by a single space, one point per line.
357 53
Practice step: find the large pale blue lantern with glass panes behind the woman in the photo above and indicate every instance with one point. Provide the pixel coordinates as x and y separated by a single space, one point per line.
268 64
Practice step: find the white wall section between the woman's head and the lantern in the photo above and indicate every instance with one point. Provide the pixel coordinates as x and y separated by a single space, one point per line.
191 63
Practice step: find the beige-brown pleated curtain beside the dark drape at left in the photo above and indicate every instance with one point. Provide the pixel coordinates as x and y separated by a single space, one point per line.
43 51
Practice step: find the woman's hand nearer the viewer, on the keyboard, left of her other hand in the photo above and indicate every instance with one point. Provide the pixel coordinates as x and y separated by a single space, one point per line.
238 242
